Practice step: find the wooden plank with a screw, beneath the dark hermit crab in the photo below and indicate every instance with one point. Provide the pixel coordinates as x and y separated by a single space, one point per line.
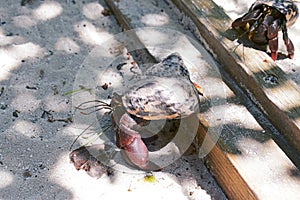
279 101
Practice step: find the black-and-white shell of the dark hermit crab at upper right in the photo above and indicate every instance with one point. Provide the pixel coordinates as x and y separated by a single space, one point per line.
287 7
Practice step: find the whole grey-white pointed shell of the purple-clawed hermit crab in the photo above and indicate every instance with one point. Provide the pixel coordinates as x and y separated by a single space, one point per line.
164 92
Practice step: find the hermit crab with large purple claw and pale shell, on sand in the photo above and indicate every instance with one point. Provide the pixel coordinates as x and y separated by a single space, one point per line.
165 91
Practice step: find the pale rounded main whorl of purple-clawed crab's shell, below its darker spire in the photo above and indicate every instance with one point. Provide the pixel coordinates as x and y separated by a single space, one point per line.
158 98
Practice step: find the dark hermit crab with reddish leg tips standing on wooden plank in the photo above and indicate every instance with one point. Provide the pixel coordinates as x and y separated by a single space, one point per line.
265 19
